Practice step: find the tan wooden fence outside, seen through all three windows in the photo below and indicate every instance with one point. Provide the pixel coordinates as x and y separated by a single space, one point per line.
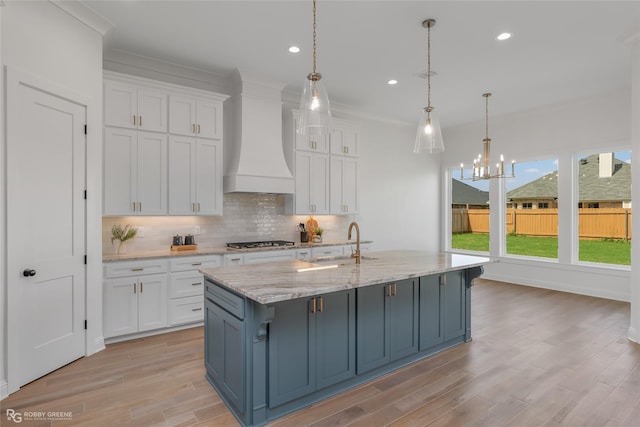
611 223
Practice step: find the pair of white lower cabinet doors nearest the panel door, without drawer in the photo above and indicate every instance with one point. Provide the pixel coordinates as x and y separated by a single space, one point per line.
135 304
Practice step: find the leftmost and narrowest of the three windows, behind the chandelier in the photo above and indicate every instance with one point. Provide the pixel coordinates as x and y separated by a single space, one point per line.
469 213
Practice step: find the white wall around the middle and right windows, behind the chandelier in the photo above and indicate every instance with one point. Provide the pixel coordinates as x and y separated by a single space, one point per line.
556 131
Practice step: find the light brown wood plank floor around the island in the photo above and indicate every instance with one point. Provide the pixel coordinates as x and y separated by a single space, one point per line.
538 358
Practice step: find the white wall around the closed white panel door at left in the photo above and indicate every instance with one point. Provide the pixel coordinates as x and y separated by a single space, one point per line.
43 40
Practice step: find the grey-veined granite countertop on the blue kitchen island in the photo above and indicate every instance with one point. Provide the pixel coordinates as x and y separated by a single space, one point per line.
282 281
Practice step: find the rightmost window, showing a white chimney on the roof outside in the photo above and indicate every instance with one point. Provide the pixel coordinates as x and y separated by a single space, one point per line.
604 207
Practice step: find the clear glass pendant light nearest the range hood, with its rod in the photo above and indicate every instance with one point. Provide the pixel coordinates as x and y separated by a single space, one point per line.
315 113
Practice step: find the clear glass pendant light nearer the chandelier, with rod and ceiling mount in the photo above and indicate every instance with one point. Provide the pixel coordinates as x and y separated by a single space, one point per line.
429 135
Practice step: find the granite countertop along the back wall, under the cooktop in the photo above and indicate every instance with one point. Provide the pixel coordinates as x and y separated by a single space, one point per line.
168 253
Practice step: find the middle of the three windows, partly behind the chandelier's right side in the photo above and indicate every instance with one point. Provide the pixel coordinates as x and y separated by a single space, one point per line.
530 231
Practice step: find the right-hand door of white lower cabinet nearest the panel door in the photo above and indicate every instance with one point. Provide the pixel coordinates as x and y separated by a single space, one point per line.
152 302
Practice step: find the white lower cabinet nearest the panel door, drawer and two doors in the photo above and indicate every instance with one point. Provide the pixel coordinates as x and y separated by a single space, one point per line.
135 295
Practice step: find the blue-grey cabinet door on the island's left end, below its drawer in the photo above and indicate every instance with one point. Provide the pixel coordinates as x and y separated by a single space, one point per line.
224 356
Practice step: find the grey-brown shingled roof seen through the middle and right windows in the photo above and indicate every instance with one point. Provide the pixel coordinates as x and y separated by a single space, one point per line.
592 188
